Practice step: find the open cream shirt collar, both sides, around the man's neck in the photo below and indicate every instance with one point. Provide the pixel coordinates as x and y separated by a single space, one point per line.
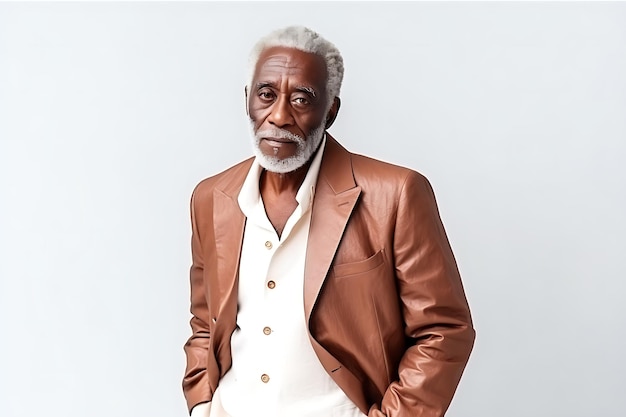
250 196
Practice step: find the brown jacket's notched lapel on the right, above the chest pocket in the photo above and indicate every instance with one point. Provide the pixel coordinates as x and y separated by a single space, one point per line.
336 194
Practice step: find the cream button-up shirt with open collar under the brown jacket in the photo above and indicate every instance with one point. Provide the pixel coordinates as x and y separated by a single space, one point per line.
275 371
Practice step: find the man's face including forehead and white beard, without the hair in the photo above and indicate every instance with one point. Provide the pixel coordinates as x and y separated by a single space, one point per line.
287 105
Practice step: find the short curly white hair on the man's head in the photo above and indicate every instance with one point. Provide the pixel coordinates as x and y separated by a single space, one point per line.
307 40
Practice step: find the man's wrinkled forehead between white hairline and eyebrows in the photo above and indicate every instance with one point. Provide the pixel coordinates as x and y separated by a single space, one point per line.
276 63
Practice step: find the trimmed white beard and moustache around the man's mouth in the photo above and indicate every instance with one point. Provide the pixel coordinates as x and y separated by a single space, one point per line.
305 148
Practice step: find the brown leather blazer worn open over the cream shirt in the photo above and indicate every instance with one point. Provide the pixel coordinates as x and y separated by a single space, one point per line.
383 299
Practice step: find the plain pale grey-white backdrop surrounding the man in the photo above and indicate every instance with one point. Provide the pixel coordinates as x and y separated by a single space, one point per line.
111 113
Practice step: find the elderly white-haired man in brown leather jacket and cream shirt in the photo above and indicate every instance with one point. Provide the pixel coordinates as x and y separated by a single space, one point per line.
322 283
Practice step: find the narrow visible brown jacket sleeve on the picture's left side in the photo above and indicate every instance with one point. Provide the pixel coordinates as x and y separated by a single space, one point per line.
196 381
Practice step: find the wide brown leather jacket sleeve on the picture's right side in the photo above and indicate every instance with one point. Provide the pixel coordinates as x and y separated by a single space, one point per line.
437 321
